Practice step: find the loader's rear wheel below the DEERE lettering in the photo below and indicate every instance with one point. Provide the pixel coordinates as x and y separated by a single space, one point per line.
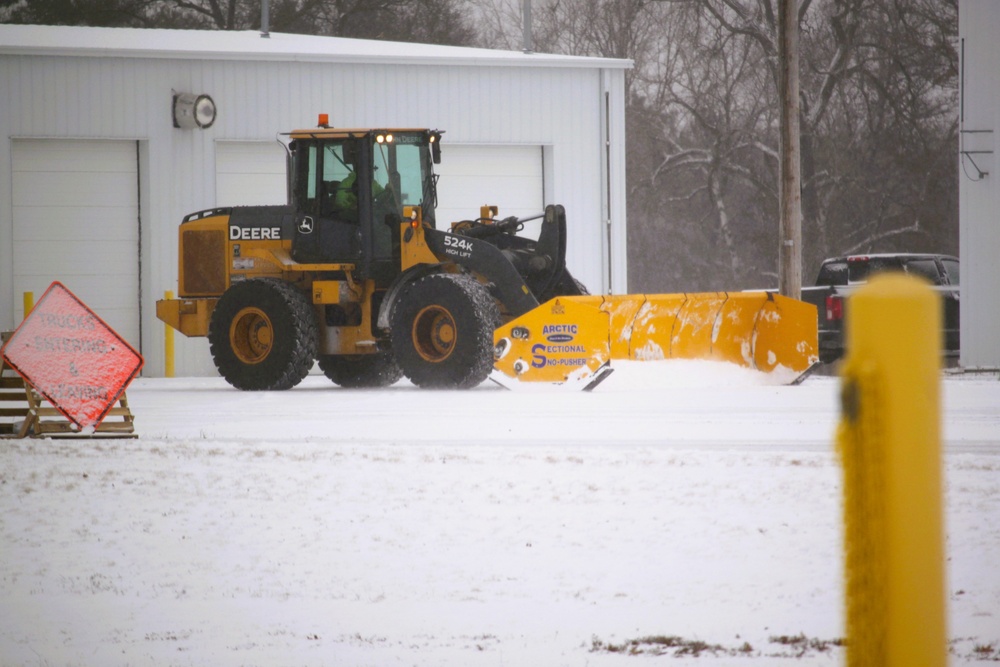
263 335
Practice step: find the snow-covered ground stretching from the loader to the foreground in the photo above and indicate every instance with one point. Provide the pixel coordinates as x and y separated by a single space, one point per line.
693 505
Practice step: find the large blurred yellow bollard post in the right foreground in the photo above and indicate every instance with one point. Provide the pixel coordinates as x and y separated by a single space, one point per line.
890 447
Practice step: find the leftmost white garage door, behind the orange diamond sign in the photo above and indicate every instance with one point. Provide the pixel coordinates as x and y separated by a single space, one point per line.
76 220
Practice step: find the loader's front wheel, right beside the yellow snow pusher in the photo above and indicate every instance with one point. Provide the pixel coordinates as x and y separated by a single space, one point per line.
442 331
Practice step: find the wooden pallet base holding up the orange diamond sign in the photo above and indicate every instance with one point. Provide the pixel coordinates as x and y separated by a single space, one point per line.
24 412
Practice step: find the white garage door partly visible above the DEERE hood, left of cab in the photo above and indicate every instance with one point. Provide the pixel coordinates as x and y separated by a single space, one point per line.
249 173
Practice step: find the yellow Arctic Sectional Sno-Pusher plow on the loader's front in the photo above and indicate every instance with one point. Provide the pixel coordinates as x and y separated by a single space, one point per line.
573 338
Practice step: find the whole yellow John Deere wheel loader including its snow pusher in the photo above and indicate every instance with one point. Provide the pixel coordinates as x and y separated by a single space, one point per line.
354 275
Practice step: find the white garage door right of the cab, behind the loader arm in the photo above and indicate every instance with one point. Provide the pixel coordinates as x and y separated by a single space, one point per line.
507 176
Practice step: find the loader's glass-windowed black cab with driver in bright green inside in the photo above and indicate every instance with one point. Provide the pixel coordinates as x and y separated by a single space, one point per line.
349 188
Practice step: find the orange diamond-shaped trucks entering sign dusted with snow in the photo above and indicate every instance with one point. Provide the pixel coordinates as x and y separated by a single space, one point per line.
72 357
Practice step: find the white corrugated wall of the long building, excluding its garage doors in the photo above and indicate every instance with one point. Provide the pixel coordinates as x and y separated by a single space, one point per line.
561 108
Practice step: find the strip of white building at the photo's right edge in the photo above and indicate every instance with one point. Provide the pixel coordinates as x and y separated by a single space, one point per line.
979 182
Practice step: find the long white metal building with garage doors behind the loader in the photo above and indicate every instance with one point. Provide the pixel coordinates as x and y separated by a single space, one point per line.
95 177
